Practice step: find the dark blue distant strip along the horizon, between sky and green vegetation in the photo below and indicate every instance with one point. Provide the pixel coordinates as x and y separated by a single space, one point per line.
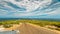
30 19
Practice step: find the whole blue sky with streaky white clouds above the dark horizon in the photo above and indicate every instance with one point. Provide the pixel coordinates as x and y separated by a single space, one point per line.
30 9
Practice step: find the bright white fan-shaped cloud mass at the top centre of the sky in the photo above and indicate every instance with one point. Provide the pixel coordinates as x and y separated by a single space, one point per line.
30 6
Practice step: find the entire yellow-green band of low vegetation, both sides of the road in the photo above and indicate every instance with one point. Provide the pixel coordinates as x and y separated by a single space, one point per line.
44 23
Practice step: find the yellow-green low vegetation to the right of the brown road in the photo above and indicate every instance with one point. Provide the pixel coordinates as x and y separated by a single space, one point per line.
44 23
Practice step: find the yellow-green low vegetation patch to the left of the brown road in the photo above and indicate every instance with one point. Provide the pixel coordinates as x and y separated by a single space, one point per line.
9 23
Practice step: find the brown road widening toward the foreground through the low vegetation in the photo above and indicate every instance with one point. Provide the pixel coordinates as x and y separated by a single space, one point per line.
30 29
